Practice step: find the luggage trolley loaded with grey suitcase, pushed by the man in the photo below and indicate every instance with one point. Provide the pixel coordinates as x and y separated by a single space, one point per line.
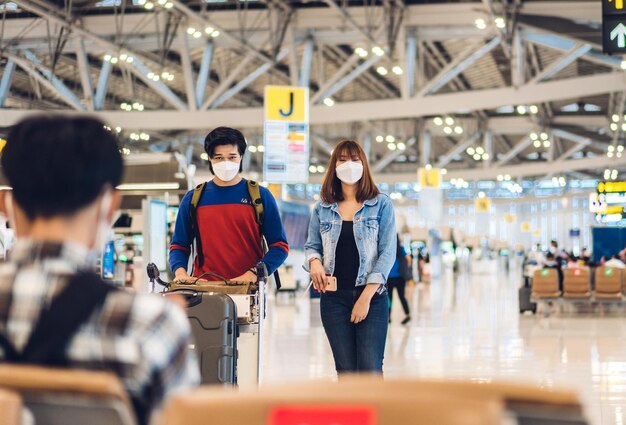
227 322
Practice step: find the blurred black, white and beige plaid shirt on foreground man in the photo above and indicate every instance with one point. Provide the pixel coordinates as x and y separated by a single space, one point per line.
141 337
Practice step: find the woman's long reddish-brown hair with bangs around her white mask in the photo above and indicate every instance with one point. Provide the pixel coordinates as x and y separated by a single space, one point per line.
331 187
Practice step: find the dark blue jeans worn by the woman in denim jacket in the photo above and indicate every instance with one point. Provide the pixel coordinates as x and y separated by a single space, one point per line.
360 347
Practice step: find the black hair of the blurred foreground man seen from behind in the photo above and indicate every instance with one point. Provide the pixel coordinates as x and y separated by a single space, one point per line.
58 165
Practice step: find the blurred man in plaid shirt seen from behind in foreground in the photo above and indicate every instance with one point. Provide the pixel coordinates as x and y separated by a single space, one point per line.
53 310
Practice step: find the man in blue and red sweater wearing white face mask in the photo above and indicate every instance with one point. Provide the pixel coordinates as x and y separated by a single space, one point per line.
228 239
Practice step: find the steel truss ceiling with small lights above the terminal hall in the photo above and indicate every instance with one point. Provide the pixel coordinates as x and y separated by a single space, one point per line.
480 88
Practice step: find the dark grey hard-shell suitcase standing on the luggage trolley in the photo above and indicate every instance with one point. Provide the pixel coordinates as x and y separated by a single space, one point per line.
213 319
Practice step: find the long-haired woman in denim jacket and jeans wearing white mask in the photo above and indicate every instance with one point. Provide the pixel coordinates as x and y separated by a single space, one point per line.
352 239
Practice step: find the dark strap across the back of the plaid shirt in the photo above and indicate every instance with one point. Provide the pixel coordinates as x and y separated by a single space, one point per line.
57 325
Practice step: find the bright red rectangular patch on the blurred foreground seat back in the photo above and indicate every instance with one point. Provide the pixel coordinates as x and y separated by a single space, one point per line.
322 415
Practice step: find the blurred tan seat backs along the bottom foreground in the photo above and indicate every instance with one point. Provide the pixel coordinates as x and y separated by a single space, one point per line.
60 397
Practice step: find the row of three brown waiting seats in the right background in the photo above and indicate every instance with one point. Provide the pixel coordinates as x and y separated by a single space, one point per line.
577 284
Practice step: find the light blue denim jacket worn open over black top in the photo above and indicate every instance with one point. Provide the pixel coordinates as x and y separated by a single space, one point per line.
374 231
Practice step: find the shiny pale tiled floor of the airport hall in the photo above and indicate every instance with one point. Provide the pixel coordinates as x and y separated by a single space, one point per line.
468 326
